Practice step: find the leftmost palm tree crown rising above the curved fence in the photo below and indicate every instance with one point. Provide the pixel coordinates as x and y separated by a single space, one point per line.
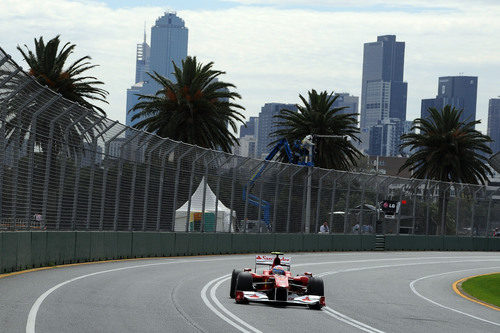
47 66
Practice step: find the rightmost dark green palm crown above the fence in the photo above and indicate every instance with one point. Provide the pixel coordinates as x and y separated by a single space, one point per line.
447 149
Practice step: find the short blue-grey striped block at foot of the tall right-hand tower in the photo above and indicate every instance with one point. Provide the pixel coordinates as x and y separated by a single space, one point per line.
385 137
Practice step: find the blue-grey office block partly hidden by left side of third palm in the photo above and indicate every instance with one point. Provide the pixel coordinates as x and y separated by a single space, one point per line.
267 125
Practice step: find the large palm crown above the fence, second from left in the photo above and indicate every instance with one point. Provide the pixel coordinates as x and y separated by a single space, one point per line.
196 109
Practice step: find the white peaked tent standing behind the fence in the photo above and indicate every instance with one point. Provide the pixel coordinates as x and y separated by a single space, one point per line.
211 202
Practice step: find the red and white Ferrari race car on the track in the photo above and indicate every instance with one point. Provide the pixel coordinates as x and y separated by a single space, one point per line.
276 284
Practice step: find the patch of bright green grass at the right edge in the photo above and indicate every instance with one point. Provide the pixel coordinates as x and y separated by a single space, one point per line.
485 288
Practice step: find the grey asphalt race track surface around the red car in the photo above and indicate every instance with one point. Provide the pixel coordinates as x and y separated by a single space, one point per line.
365 292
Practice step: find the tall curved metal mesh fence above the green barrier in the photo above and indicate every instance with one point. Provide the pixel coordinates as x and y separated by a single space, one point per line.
64 167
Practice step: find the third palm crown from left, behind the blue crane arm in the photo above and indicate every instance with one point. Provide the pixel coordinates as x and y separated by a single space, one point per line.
318 117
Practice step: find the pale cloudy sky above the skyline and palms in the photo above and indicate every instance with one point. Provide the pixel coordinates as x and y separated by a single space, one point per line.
274 50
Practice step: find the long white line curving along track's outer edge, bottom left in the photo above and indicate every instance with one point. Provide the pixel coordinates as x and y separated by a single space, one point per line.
30 323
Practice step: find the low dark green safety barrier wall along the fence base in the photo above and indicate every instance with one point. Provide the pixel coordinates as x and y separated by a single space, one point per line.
30 249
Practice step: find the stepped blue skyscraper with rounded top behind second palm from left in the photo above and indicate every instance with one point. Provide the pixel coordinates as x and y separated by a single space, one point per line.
169 39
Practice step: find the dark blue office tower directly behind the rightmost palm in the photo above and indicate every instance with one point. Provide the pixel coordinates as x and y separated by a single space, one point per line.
458 91
